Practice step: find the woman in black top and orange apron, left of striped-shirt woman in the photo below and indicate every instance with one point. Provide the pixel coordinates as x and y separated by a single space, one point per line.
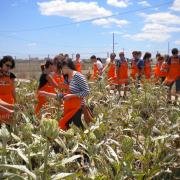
46 83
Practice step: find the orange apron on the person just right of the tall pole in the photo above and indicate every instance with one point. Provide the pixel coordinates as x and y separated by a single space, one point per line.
122 74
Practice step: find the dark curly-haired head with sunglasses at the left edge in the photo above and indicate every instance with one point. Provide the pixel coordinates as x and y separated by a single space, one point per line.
7 63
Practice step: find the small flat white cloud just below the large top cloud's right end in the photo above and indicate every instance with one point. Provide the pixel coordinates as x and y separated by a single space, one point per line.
109 22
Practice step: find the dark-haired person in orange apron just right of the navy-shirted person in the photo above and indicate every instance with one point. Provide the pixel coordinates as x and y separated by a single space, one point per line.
147 65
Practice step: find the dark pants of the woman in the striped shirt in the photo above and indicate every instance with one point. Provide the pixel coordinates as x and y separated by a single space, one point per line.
76 119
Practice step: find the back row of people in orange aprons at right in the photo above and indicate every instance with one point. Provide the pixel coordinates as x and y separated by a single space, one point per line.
119 71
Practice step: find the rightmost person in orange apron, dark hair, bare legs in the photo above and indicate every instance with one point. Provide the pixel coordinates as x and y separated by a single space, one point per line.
173 73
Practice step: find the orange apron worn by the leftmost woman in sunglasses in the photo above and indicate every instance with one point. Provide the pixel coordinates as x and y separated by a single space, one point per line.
6 94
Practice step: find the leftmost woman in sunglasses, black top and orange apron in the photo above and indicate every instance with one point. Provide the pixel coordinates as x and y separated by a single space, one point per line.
7 90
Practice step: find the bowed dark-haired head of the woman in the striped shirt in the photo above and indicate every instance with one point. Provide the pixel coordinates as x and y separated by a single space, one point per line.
66 66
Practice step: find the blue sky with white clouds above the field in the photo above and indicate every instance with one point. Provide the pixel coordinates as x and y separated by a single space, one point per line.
48 27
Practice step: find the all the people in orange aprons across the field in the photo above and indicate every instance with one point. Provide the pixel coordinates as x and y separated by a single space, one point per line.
63 80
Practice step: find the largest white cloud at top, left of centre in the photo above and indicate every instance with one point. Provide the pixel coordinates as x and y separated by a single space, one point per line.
78 11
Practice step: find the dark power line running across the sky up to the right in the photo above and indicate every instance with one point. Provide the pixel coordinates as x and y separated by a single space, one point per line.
89 20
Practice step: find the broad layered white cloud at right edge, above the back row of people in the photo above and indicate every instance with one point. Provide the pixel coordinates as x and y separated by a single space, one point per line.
158 27
